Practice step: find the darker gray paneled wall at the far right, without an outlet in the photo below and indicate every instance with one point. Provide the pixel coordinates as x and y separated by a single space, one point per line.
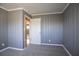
71 29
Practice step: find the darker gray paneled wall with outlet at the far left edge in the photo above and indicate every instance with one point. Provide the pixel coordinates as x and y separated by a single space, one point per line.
3 29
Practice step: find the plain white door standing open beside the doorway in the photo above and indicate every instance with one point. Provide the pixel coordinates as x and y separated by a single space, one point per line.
35 31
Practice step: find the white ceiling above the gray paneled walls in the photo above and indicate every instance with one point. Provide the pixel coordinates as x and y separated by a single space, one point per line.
37 8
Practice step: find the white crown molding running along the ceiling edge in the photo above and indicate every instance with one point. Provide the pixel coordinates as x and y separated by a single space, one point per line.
36 14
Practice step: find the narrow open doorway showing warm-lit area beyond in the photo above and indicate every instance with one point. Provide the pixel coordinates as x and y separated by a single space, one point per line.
26 31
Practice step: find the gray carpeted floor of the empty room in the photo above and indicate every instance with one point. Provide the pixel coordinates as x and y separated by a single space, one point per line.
36 50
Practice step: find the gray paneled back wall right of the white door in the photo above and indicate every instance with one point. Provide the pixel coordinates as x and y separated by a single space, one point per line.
52 29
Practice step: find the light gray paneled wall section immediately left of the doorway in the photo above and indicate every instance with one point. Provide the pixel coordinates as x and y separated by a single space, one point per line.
15 29
